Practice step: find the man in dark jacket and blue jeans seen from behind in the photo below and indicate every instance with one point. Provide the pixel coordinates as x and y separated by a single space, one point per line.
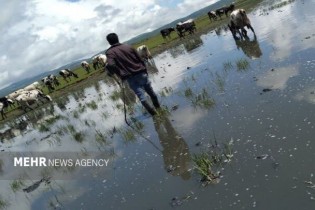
124 61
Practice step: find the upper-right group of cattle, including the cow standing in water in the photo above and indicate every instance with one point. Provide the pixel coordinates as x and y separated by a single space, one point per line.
238 21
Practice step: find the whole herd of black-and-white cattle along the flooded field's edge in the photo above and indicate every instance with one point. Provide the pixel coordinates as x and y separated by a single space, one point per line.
33 92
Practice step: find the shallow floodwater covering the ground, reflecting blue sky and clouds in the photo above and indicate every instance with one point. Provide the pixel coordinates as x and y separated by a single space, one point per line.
257 96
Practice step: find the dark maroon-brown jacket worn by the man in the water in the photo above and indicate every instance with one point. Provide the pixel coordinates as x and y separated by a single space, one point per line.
124 60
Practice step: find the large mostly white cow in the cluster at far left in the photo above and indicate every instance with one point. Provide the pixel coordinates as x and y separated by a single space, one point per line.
27 97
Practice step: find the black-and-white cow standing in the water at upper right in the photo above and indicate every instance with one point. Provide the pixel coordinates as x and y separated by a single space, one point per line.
238 21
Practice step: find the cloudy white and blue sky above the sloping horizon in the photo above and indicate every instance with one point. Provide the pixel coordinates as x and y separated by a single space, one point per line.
41 35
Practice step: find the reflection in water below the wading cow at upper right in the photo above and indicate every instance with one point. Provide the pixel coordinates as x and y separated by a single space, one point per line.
249 47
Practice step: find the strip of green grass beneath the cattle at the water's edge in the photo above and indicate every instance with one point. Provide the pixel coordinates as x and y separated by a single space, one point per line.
156 44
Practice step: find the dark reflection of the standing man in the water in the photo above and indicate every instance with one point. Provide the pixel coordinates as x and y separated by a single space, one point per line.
175 150
